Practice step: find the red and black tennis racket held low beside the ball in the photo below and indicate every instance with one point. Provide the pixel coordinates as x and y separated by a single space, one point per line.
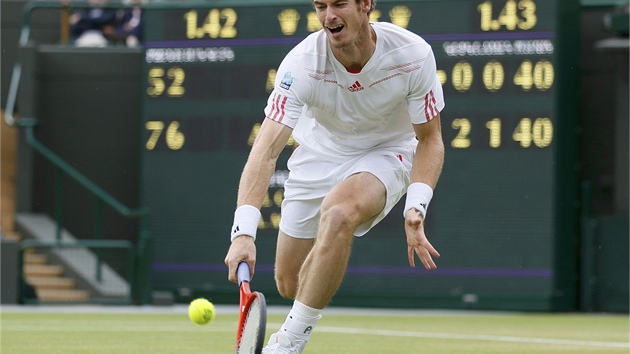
252 318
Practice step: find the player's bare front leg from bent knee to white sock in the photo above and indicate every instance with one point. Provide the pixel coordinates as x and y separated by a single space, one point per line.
351 203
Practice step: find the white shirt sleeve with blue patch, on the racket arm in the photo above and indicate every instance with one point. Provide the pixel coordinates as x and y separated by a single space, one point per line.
285 103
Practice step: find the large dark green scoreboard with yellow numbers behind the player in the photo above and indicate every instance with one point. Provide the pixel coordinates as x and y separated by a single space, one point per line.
503 215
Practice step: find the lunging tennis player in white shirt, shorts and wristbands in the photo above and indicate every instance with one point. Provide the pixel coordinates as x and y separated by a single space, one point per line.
363 101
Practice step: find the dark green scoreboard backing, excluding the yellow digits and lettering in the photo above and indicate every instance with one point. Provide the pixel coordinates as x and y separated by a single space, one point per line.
493 215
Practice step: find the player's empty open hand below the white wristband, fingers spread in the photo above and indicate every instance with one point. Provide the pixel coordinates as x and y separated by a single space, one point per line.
417 241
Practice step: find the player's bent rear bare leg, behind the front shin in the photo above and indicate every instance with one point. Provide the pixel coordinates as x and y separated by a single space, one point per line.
290 255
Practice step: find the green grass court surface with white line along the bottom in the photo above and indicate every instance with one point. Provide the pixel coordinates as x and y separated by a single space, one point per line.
93 329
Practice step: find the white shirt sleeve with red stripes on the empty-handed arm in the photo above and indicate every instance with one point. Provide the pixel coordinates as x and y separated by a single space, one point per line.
426 98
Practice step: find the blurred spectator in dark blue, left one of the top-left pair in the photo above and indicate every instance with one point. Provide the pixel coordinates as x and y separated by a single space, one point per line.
93 27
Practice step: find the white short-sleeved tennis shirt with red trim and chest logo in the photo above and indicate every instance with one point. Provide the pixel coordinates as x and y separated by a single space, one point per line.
337 114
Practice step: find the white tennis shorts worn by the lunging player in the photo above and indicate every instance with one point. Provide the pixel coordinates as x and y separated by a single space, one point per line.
311 178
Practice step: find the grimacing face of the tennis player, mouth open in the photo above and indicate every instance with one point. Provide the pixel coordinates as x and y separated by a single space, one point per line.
343 20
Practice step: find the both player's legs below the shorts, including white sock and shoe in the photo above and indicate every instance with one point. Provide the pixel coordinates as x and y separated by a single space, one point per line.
351 203
